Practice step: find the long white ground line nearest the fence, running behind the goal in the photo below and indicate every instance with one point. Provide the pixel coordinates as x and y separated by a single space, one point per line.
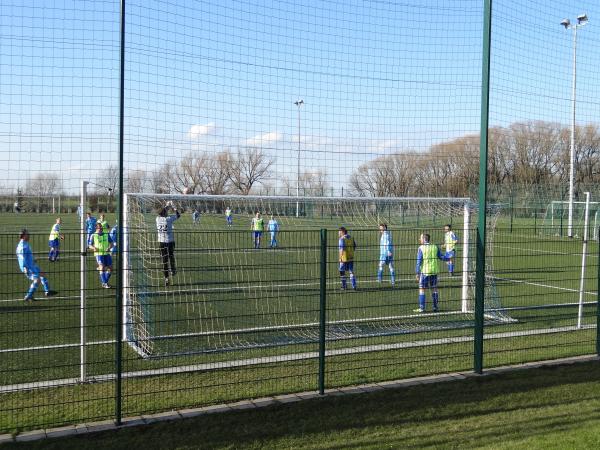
283 358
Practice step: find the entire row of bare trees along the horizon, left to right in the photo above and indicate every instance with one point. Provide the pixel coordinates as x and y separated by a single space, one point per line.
525 154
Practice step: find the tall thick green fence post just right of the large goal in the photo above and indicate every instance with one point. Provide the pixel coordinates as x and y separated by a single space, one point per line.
483 161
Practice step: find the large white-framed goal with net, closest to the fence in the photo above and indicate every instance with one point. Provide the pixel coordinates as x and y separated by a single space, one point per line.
227 295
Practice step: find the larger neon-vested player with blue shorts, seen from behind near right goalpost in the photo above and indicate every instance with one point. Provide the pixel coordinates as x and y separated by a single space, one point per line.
427 270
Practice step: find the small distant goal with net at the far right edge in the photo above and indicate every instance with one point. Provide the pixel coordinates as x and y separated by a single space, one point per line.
556 218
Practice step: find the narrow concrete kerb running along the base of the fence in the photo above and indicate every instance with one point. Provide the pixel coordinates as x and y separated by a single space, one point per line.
105 425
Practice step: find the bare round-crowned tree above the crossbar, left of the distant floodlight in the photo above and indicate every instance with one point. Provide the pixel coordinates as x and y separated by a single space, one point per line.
247 168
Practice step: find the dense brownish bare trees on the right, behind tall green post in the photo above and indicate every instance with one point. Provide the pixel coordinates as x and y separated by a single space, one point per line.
524 154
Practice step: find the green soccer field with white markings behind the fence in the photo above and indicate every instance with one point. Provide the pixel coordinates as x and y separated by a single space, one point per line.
240 323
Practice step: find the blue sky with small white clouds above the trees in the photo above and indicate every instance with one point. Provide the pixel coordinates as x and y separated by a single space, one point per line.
376 77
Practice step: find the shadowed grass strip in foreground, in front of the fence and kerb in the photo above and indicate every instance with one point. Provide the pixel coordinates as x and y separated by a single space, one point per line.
486 411
